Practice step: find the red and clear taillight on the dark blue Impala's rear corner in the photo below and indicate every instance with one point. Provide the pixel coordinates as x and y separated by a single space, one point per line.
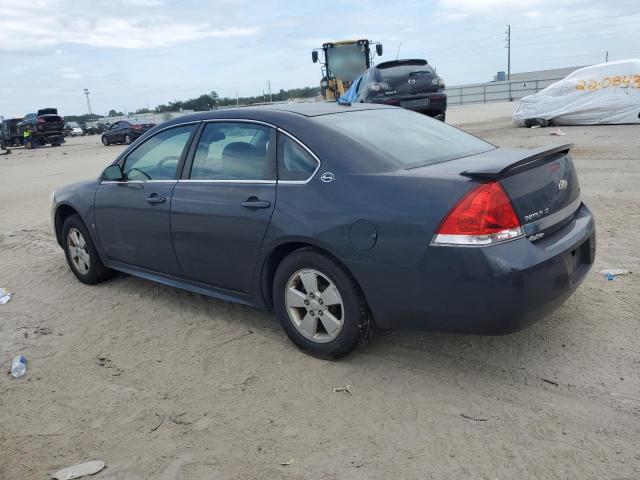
484 216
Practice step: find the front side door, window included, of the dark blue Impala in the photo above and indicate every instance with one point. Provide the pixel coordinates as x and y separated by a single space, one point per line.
132 216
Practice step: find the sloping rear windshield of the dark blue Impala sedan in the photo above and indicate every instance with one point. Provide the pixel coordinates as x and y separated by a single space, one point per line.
410 139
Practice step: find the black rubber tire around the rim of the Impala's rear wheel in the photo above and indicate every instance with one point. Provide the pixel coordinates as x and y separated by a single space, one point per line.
358 324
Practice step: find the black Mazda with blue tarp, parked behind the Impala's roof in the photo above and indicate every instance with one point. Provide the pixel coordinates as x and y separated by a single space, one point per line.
411 84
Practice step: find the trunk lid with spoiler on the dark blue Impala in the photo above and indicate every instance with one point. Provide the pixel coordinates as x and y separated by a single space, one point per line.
542 184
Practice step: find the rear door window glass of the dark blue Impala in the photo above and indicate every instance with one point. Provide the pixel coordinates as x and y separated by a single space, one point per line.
234 151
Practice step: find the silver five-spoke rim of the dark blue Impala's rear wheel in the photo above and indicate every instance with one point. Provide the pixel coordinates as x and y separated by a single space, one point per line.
314 305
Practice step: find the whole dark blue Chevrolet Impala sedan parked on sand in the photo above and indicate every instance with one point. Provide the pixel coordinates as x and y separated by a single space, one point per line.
337 218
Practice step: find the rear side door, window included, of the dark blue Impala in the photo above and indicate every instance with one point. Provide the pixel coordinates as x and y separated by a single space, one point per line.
221 209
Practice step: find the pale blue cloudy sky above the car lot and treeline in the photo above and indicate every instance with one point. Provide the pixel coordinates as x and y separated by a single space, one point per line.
134 53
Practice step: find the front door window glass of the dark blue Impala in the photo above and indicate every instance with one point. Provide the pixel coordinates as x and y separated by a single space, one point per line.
158 157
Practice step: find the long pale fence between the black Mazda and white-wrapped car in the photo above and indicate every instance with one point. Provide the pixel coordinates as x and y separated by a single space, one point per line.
496 91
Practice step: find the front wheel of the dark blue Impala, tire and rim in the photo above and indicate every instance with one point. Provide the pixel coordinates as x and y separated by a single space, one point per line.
81 253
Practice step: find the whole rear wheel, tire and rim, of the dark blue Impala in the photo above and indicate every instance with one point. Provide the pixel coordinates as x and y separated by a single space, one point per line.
319 304
